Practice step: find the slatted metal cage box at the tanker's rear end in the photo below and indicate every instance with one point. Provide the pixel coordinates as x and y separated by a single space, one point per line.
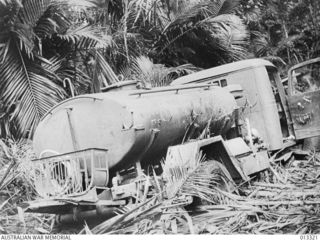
71 174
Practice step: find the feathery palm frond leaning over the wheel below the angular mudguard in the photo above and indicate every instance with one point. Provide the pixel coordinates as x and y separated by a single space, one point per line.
198 178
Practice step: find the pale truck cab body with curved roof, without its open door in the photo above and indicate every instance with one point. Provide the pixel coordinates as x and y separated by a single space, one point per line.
258 106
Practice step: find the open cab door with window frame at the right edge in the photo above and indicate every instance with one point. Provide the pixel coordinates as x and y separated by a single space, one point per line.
304 98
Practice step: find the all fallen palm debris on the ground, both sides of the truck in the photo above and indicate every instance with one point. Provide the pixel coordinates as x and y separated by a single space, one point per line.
284 199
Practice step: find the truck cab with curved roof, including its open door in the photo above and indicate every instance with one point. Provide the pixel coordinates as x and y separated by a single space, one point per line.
274 111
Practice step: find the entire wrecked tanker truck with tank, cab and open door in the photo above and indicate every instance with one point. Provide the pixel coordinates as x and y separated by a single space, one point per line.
95 150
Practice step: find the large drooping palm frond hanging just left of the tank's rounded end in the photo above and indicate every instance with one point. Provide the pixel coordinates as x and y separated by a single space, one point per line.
29 87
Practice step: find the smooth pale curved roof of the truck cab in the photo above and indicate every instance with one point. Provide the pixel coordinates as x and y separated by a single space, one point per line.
222 70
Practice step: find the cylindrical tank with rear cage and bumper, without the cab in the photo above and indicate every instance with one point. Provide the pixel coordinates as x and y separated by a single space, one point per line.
94 149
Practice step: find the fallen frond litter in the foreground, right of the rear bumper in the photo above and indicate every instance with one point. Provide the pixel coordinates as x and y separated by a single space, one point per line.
283 200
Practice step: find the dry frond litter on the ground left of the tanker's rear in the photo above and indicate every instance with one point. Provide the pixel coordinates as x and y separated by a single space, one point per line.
15 188
